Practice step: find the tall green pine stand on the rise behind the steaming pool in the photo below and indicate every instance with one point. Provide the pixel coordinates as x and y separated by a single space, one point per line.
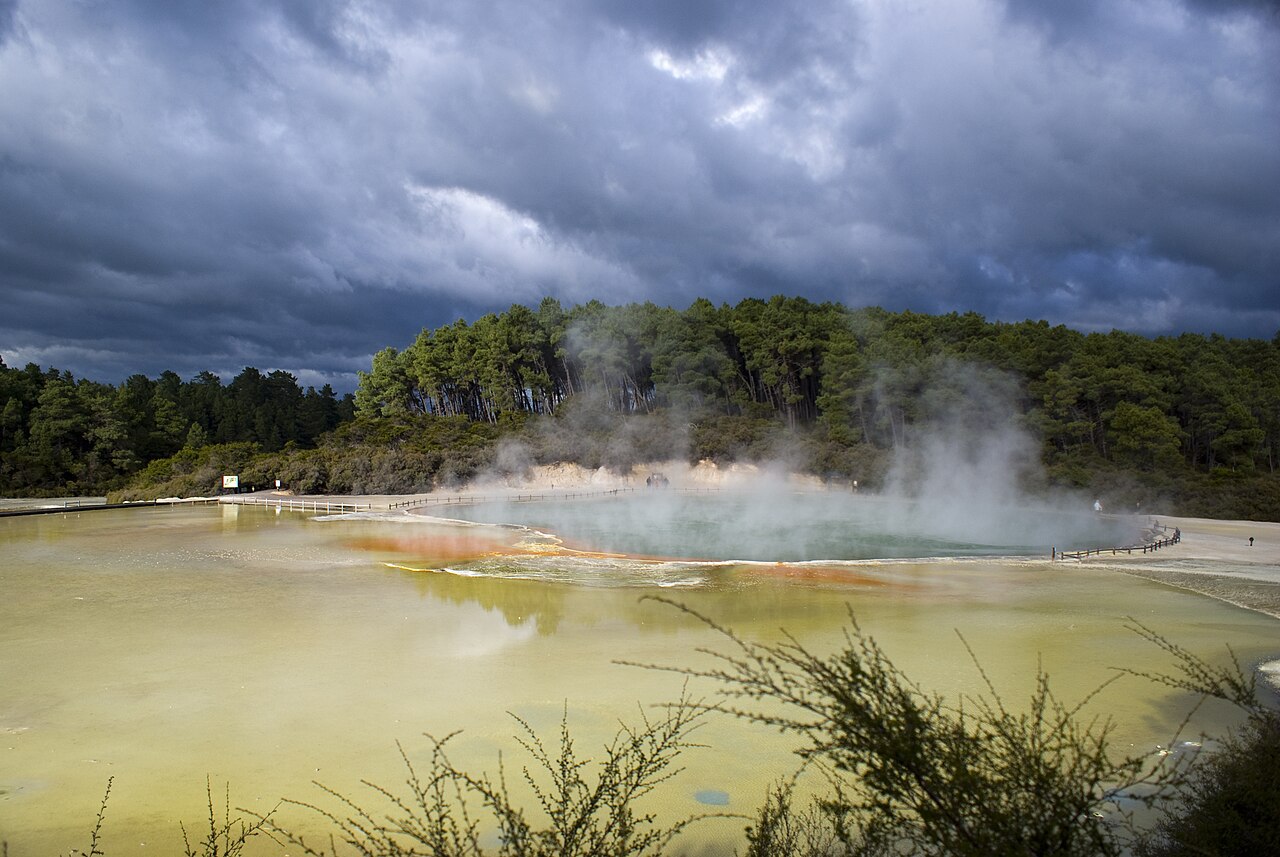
871 377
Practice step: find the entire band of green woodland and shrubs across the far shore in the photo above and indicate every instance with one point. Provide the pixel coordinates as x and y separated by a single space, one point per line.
1191 423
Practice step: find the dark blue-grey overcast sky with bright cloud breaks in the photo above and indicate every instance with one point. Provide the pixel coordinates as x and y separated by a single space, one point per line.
299 184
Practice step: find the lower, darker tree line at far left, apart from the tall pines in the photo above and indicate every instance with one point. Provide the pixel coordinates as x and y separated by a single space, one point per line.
60 433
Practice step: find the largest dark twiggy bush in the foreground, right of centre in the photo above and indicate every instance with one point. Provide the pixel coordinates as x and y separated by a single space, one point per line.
912 773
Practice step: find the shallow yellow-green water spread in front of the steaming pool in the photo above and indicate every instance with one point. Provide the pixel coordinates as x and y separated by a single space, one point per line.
162 647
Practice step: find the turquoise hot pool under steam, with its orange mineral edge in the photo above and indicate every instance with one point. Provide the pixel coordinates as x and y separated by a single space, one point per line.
678 538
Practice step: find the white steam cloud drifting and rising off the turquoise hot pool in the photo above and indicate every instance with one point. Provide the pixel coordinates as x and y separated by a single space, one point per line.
966 479
